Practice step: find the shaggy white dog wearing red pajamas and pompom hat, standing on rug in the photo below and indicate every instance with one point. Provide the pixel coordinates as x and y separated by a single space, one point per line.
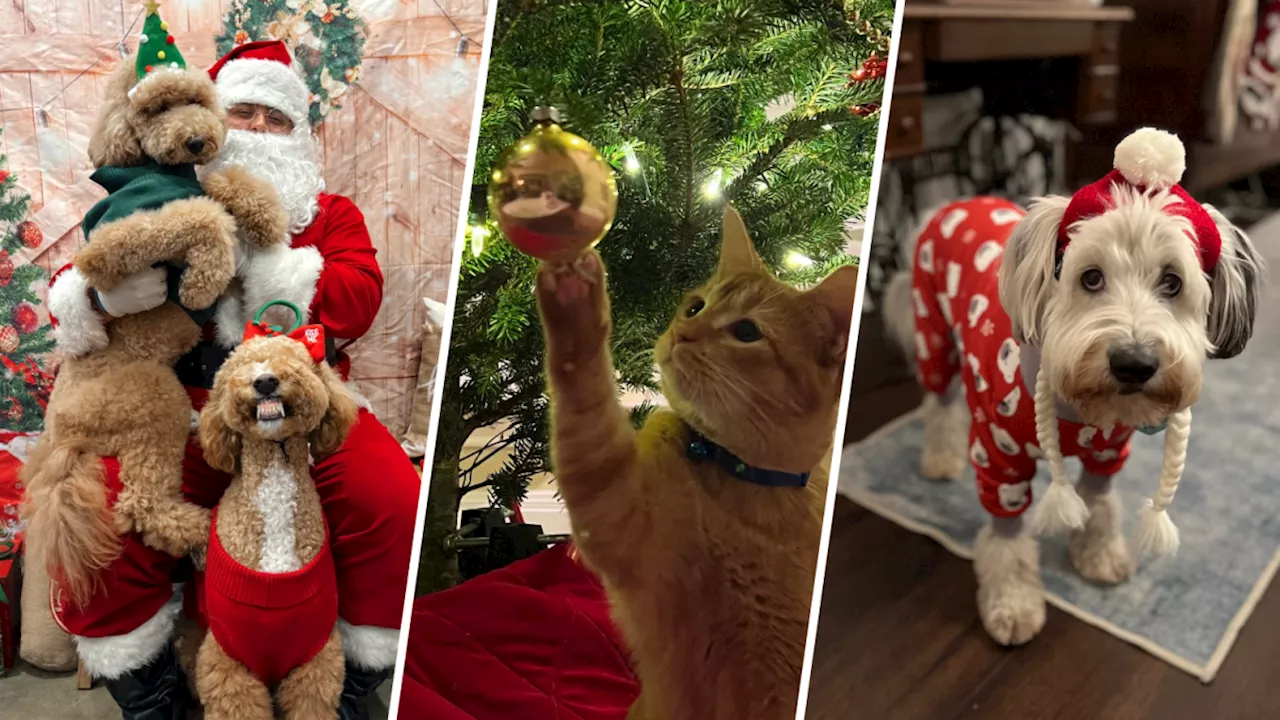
1069 327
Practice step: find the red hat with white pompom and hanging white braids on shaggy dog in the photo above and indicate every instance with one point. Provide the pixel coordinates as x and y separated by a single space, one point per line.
1149 161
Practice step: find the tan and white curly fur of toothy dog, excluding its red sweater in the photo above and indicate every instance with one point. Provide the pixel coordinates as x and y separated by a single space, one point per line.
319 412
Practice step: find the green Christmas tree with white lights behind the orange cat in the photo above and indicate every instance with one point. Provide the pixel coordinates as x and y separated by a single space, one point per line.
770 104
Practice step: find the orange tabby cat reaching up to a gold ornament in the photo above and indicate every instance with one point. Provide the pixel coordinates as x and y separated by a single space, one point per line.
710 576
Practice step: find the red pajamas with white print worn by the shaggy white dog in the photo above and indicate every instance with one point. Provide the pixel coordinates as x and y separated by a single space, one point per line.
962 329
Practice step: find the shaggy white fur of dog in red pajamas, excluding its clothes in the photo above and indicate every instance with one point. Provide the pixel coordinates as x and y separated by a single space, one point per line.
1135 245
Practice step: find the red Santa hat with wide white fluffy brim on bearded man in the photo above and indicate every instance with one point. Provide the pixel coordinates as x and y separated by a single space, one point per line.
263 74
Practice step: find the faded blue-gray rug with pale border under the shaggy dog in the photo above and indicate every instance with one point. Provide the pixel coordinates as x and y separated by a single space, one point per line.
1188 609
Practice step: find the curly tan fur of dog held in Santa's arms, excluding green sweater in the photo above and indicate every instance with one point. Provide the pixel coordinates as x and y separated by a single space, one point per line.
126 402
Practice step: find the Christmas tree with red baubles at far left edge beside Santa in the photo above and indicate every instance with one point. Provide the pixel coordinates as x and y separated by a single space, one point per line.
24 336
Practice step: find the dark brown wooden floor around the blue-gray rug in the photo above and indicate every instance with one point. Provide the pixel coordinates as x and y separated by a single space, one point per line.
900 640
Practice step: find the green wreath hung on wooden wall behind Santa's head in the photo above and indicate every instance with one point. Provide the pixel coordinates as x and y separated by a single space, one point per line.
328 39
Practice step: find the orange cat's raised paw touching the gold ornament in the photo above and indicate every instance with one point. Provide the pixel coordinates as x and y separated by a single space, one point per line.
575 308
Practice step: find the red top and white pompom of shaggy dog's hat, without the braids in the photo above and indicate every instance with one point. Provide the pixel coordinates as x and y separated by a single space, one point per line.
1149 161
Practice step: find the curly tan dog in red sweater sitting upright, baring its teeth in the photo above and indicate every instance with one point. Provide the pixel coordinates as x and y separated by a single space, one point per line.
269 591
